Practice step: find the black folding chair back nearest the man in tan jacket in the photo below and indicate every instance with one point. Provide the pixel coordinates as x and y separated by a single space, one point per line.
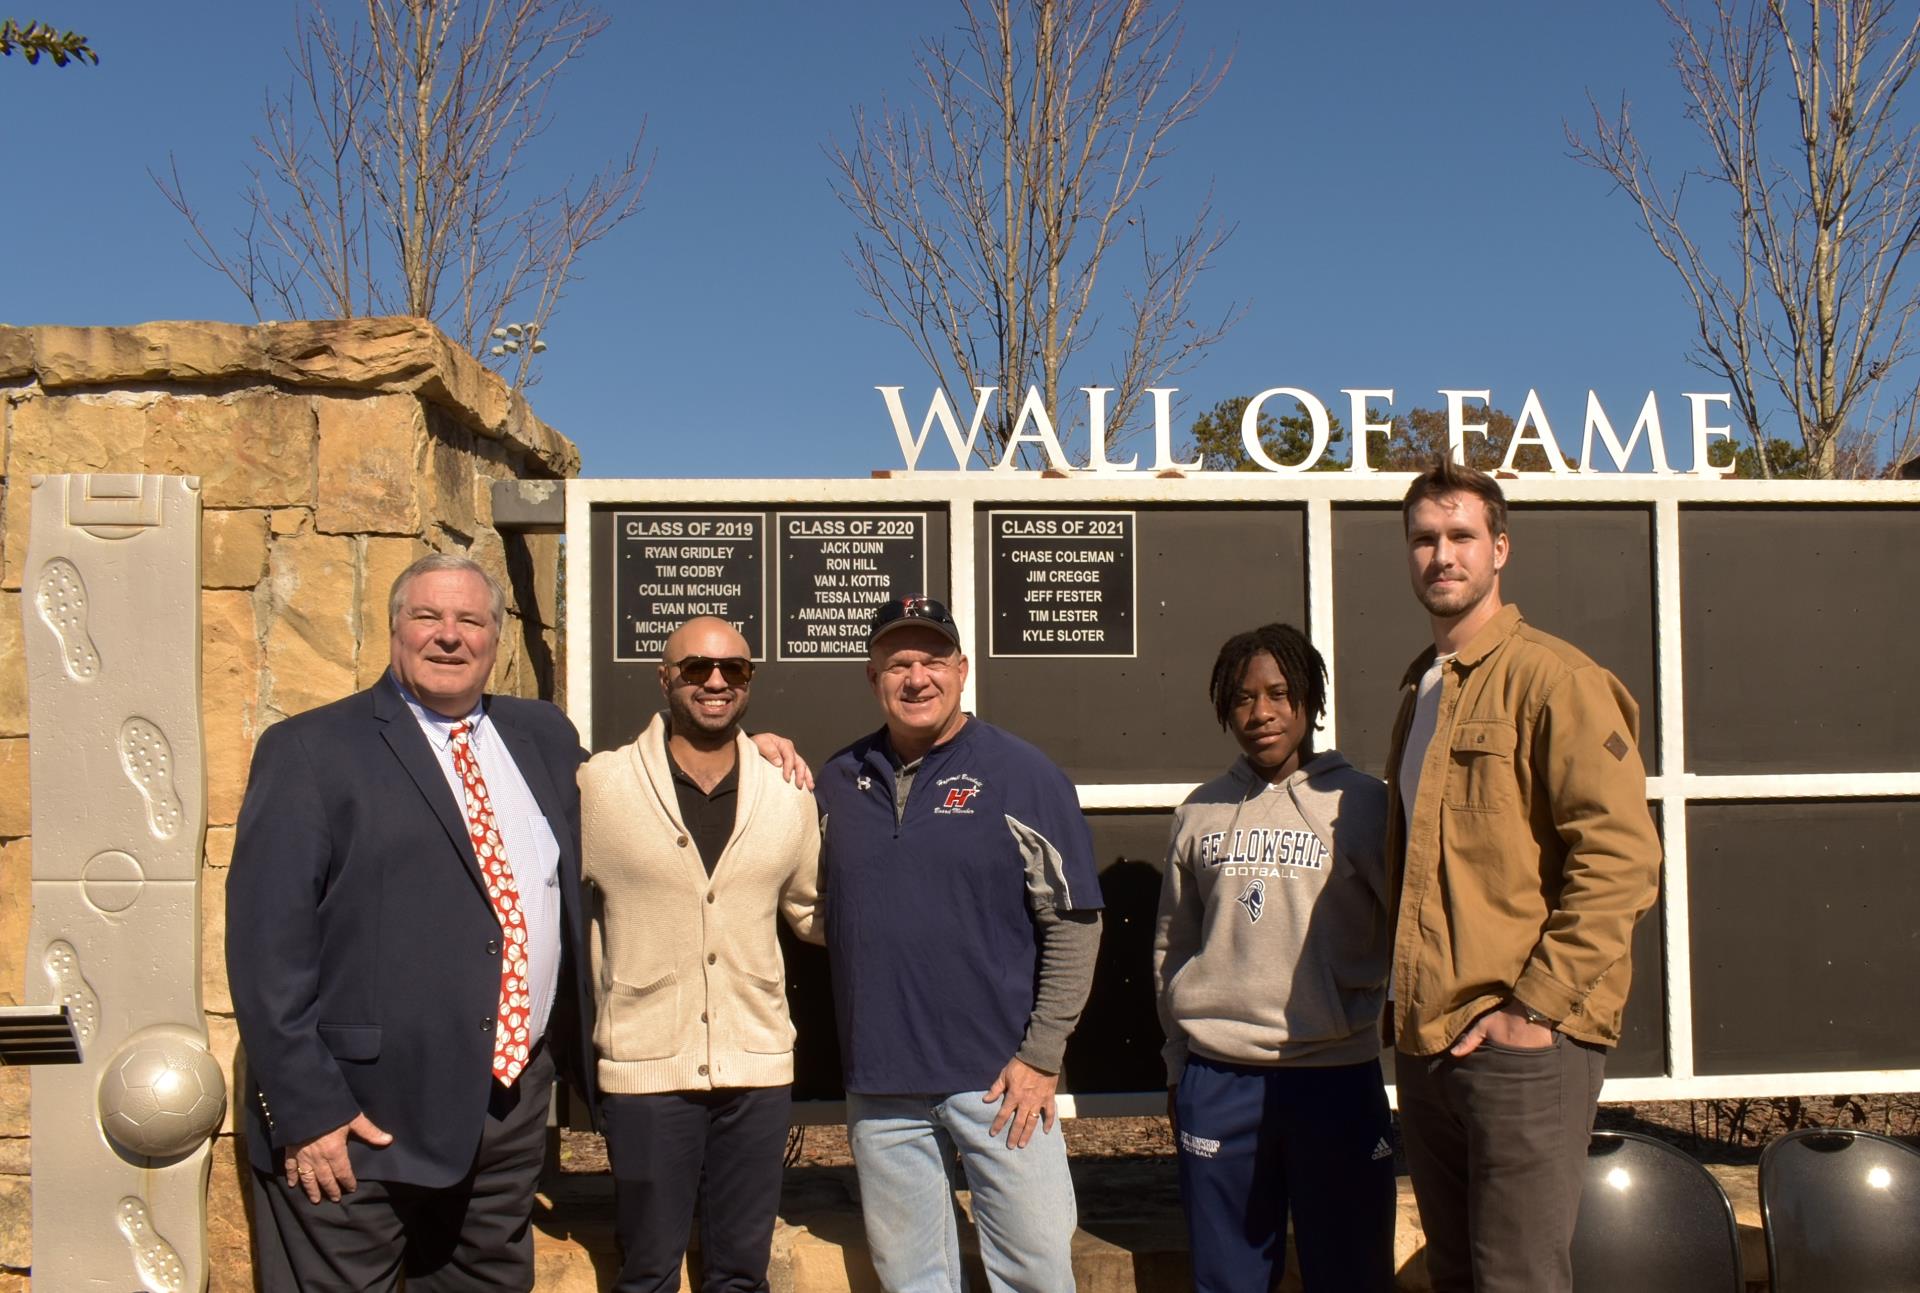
1652 1221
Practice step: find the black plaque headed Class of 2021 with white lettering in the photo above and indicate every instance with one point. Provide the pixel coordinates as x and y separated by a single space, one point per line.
1063 583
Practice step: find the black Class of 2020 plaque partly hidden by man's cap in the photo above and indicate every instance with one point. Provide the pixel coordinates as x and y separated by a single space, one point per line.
836 568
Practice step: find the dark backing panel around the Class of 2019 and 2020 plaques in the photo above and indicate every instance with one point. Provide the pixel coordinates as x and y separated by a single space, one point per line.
819 704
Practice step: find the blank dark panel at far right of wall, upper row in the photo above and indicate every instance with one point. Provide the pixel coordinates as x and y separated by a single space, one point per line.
1800 629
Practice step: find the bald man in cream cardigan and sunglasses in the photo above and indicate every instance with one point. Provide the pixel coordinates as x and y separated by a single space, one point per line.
692 844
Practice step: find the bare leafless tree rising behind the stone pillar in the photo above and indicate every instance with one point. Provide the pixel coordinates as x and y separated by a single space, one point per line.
391 168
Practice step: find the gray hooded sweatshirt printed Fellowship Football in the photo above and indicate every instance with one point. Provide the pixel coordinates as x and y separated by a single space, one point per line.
1272 944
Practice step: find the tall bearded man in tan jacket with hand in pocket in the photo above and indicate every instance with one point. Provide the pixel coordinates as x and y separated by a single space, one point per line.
1520 856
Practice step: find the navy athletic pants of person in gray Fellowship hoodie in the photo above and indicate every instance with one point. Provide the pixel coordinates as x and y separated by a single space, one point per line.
1257 1142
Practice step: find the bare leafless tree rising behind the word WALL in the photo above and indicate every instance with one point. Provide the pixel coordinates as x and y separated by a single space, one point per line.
984 226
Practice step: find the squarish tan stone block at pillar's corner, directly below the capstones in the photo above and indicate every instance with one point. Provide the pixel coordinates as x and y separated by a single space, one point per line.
372 466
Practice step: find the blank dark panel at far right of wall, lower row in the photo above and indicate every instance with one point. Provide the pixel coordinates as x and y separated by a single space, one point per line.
1804 935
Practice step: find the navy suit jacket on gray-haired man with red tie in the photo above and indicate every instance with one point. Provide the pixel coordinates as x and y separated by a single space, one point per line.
362 950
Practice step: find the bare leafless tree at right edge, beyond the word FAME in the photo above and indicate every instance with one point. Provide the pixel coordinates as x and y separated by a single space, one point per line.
1810 305
